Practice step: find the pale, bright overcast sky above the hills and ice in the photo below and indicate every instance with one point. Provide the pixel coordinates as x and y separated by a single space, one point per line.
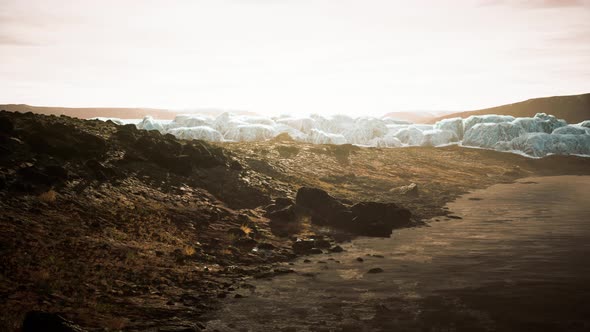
357 57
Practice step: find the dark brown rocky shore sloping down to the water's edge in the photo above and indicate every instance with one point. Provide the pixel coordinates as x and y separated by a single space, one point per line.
116 228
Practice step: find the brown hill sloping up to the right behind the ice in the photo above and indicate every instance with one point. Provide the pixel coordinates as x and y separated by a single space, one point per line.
573 109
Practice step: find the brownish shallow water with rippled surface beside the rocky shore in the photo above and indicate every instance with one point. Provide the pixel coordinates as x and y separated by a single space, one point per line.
519 260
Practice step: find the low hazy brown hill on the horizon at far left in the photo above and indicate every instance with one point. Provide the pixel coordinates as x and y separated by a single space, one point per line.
90 112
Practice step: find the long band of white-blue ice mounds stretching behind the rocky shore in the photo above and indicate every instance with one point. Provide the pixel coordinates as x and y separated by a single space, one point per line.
536 136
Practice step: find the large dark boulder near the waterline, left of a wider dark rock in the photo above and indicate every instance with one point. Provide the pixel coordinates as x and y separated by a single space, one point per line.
319 204
